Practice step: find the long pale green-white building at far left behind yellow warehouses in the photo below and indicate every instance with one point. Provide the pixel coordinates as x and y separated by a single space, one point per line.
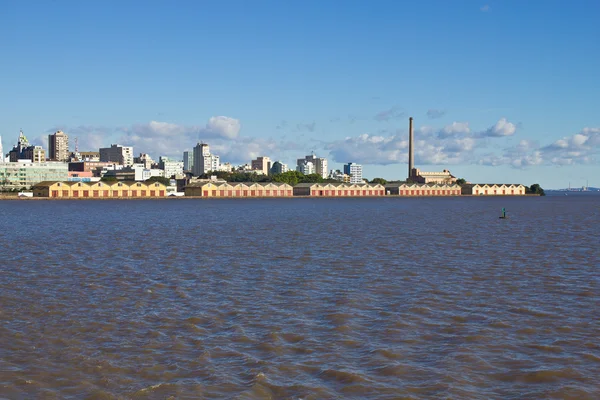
25 173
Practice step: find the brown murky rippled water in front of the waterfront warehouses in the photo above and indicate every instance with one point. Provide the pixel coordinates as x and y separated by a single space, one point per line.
300 299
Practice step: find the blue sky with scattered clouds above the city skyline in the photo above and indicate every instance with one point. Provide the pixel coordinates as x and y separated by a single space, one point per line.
500 91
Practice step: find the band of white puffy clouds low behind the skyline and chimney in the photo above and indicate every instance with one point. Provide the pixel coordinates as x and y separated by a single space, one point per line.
453 144
